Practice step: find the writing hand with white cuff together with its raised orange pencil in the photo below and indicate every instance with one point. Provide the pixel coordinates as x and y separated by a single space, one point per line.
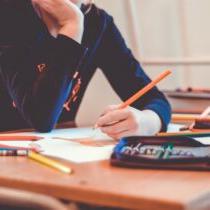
122 120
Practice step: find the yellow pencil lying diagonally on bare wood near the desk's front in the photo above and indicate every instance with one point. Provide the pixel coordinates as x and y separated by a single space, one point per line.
49 162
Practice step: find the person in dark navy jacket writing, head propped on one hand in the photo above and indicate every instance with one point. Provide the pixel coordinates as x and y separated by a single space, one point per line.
43 43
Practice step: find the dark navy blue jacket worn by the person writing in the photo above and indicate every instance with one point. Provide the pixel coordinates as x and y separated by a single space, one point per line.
37 69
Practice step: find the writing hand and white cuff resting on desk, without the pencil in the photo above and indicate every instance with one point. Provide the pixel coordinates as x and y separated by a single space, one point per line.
129 121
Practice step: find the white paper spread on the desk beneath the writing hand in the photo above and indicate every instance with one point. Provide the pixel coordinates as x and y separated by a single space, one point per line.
74 144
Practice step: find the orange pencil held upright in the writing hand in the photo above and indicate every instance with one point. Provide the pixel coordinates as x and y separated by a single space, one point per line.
143 91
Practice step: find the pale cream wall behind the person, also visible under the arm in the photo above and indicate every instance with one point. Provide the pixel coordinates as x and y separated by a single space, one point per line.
163 34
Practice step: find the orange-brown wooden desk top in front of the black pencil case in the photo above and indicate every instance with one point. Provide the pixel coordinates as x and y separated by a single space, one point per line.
100 183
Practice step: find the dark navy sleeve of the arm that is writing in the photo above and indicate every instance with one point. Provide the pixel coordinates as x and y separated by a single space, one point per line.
126 75
